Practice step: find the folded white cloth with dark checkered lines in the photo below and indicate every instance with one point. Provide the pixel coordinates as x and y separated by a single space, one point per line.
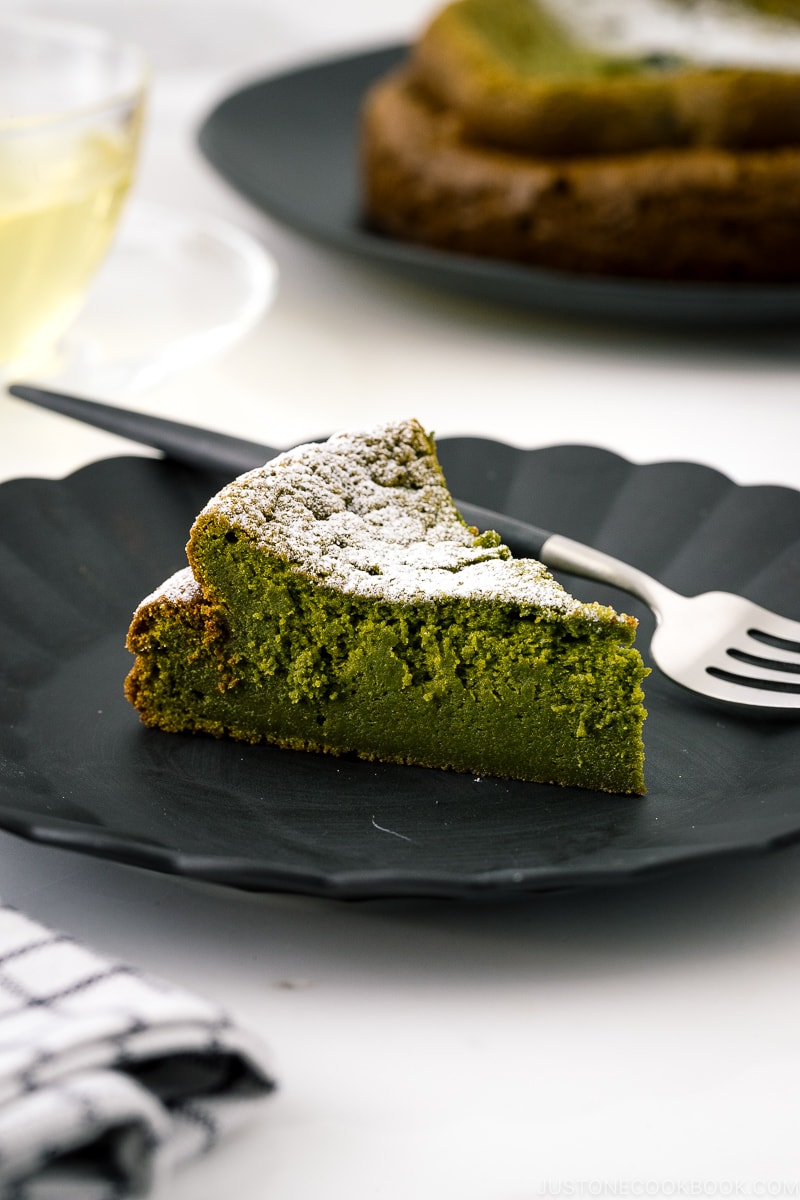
109 1077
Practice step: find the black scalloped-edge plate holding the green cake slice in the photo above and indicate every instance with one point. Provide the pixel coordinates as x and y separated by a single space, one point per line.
77 770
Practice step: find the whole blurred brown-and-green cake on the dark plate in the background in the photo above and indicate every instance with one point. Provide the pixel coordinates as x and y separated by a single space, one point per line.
502 136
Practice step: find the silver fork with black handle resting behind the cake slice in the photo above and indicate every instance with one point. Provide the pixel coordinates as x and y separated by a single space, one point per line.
717 645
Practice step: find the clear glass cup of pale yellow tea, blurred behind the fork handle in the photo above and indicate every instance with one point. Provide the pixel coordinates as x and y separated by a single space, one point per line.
71 111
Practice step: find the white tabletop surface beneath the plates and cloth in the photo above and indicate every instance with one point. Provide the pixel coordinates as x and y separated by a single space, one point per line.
612 1043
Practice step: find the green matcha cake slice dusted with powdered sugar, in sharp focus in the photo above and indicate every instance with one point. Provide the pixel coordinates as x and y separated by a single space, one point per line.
336 602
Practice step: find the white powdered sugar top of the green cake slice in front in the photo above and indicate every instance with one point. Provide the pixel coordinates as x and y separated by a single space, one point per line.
370 514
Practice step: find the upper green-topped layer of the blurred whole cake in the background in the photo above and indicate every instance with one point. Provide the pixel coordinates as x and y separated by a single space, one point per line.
521 79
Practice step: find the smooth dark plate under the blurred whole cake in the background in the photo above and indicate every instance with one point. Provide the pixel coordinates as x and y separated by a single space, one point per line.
290 143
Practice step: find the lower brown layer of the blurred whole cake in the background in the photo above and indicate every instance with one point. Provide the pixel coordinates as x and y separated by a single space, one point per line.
701 214
